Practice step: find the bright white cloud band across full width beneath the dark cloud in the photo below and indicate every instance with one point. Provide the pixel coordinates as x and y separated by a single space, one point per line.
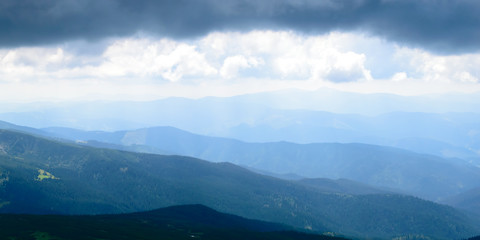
232 63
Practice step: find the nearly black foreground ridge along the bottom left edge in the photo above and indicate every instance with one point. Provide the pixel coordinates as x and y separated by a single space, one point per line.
178 222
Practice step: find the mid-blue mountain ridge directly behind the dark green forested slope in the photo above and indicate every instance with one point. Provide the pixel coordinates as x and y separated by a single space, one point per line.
167 140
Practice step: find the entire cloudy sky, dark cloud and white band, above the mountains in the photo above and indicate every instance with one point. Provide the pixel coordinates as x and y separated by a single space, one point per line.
60 50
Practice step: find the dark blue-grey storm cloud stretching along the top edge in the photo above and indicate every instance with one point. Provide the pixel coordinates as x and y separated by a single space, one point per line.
441 26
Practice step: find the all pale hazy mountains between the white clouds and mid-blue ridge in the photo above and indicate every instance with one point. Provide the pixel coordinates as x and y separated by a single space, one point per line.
446 126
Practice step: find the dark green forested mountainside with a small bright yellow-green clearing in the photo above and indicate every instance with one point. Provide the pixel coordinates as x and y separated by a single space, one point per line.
43 176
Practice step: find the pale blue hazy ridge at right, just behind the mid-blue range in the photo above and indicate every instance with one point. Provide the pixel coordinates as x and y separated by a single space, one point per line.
453 135
